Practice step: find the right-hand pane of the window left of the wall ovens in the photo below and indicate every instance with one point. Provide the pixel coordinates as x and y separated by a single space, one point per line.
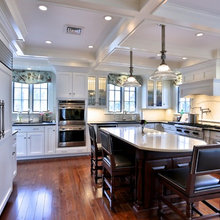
40 97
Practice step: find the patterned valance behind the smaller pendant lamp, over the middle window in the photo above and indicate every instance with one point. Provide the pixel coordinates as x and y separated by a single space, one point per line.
119 79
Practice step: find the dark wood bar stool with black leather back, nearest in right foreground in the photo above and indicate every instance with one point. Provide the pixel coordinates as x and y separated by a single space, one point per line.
193 184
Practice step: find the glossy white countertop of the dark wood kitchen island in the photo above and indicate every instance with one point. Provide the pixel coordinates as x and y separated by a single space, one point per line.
154 140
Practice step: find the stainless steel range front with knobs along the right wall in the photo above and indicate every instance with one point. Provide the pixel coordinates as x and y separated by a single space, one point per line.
189 130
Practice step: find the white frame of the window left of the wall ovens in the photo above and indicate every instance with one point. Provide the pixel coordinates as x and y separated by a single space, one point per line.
30 99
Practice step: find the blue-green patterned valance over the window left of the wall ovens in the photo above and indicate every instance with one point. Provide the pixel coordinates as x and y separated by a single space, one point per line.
31 77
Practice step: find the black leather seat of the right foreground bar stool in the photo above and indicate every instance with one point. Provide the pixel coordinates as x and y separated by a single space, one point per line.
179 177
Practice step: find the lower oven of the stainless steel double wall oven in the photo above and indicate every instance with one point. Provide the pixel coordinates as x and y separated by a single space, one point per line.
72 136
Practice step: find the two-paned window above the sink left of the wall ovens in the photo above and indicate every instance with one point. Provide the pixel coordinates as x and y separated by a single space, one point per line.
30 96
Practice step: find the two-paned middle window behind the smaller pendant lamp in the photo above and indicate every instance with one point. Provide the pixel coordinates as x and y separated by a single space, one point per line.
121 99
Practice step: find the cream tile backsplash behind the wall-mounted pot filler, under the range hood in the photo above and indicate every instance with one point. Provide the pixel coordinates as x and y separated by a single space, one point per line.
204 101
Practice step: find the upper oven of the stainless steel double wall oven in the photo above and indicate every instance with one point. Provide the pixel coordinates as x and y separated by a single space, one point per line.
71 111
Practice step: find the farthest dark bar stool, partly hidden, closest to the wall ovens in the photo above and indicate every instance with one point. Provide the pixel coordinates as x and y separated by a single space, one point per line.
96 154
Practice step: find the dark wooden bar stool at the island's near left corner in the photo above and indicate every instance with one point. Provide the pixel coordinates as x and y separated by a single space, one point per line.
115 165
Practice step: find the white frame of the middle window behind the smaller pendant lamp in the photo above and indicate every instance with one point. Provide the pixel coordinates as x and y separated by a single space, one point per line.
122 102
